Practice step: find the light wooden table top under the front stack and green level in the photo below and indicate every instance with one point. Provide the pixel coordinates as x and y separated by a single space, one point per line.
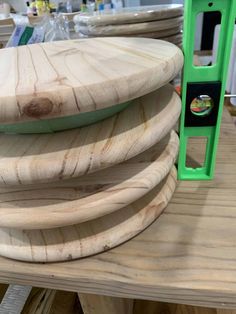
187 256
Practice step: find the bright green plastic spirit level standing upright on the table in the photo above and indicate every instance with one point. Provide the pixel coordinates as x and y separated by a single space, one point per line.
204 74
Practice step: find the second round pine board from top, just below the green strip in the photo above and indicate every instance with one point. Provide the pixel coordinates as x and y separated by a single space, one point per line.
28 159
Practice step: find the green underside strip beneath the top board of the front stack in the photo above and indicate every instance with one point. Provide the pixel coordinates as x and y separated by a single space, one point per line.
63 123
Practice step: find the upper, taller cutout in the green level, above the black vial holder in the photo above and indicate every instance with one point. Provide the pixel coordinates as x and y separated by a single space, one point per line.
206 38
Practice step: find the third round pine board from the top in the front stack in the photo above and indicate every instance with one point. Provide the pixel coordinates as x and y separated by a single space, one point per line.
74 201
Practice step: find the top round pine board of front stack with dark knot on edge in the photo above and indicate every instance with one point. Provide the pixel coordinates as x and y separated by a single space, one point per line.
65 78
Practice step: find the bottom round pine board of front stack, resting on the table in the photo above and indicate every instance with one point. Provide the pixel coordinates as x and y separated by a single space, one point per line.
92 237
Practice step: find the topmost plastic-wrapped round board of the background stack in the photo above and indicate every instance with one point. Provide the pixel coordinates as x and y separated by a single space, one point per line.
131 15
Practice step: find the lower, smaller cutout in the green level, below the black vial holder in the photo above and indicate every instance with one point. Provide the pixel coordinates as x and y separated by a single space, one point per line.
196 152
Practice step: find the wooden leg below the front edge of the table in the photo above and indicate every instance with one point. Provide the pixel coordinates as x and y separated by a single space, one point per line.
95 304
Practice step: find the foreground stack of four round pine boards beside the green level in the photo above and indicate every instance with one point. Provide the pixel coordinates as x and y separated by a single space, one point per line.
78 192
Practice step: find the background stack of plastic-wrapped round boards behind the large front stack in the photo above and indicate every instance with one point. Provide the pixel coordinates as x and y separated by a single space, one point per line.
158 21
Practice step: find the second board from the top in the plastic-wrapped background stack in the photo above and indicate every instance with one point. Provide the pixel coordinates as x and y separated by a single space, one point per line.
131 29
